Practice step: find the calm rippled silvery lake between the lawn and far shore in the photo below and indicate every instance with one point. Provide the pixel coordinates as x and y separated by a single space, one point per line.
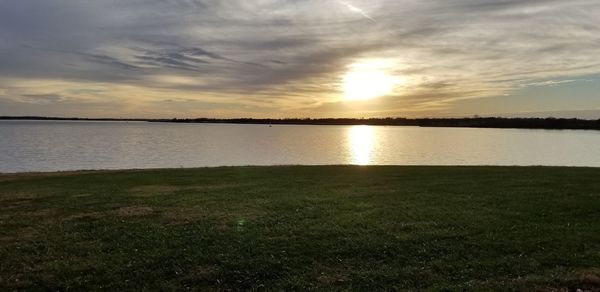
50 145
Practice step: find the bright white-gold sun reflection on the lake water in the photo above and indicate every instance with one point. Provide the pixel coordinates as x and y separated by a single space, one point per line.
361 140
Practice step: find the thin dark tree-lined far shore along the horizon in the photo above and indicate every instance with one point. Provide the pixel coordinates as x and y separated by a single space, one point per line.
475 122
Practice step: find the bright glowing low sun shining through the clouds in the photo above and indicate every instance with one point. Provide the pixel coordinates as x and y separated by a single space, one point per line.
367 80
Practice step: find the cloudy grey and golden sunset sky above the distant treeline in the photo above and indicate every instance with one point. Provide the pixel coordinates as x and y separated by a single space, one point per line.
300 58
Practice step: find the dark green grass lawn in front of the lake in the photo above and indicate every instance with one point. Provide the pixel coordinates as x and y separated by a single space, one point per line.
297 228
